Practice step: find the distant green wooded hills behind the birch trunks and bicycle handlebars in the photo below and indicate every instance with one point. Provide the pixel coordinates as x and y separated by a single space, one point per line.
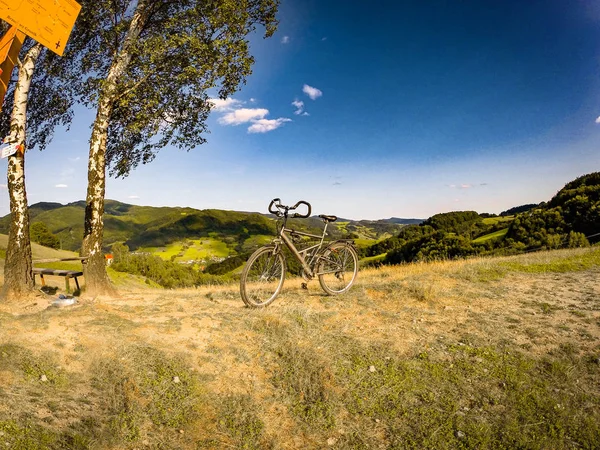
148 226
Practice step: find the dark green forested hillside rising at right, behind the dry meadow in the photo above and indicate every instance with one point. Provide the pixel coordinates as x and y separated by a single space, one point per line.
570 219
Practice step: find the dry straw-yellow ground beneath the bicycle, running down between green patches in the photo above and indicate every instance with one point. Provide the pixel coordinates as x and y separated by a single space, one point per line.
412 309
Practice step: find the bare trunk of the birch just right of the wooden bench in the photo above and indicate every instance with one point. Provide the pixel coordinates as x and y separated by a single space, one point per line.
96 277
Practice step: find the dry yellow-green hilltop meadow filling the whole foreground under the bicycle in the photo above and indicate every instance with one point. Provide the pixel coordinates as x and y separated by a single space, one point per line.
483 354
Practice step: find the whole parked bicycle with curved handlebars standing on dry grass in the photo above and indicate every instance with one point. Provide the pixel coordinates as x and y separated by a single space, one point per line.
335 263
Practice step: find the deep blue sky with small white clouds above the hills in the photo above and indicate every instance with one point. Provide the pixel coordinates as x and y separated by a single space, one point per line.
371 110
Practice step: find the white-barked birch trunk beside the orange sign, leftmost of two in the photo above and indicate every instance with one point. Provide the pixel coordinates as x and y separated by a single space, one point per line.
18 276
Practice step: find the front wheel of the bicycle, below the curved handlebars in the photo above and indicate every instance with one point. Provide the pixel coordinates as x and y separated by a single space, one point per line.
262 277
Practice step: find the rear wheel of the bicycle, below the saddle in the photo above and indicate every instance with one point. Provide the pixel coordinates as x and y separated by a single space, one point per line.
338 268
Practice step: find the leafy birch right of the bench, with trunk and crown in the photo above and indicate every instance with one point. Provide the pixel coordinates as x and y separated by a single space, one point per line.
147 68
